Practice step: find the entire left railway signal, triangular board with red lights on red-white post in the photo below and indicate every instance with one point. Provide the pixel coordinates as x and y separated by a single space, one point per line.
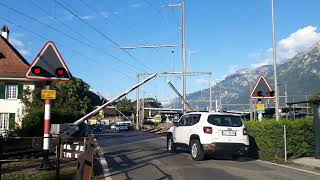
48 66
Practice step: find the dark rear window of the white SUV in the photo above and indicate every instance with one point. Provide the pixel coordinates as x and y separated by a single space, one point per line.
225 120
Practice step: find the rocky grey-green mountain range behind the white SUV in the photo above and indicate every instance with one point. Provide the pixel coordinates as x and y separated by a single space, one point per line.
300 76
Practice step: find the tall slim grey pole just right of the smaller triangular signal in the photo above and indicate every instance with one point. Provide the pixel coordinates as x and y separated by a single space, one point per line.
275 64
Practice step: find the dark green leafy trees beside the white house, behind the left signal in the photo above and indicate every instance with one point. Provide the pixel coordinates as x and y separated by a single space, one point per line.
72 102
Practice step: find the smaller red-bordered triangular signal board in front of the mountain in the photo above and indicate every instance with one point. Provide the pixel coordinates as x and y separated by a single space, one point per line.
262 89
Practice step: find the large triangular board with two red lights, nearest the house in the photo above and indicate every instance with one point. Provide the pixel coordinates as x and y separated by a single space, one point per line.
49 65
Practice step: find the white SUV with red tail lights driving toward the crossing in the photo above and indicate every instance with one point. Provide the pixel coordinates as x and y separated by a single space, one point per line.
204 133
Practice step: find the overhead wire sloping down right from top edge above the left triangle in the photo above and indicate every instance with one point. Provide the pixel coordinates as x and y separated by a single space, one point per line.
99 32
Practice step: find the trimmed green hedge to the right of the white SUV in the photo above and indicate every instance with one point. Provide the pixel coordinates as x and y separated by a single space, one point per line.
267 143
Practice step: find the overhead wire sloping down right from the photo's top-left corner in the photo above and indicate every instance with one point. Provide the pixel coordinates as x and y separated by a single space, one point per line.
67 35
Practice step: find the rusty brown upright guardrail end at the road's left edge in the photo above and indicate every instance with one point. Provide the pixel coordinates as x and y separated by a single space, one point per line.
86 161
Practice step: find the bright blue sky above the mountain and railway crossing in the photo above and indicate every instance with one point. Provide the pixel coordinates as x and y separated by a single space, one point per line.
225 36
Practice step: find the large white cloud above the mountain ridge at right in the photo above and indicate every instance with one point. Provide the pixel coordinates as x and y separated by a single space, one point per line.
288 47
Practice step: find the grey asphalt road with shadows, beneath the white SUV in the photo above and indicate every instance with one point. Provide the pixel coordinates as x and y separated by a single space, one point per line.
143 156
